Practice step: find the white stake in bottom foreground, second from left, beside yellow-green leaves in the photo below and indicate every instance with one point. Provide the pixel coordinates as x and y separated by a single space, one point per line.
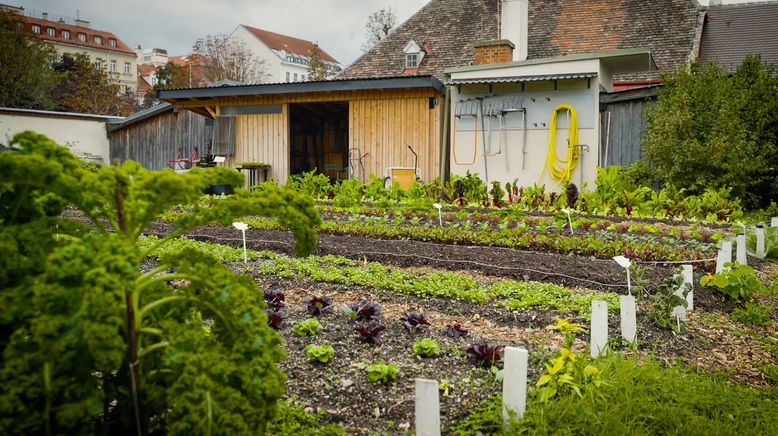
514 384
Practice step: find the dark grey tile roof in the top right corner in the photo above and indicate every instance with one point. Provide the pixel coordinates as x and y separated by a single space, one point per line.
733 31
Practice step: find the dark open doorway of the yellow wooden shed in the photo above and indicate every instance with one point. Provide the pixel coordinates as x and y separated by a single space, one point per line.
319 138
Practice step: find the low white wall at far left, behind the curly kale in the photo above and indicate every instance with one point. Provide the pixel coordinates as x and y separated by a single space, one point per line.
84 136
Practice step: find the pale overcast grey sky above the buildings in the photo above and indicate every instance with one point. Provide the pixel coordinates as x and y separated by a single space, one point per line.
337 25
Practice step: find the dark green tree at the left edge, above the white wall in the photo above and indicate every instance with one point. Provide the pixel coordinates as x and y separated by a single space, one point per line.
26 77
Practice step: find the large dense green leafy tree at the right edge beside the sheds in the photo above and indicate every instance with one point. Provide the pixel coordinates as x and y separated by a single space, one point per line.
711 130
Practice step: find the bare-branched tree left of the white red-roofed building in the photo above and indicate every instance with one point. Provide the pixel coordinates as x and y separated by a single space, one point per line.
227 58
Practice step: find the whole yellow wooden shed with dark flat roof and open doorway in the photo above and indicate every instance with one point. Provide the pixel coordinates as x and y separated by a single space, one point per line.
338 127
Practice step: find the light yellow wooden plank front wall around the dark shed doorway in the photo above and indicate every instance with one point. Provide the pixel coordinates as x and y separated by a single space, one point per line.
381 123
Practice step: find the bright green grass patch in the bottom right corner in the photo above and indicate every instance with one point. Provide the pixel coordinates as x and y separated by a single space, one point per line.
642 398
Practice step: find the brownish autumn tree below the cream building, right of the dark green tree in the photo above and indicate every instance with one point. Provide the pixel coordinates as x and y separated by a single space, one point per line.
87 88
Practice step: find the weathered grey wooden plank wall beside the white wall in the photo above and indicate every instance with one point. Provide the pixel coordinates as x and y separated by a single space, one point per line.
155 140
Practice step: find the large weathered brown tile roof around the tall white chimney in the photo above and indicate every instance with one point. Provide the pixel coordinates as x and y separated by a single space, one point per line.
556 27
